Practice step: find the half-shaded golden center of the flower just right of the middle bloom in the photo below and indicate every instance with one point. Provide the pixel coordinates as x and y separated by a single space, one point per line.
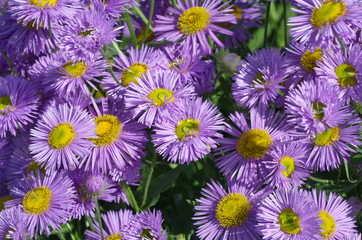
254 143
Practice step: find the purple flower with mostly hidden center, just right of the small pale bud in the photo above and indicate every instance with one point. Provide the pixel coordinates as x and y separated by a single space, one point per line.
260 77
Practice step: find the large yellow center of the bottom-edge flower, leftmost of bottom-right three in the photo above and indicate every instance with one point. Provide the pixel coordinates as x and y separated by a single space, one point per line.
233 210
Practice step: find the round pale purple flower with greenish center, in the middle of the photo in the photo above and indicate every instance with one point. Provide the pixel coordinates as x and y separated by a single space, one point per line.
187 132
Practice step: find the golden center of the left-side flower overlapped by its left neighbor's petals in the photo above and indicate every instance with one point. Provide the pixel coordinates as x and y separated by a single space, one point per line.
108 128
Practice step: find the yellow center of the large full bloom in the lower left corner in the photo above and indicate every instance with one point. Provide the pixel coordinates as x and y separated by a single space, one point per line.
37 200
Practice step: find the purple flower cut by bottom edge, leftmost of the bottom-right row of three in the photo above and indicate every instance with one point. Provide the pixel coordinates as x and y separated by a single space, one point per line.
230 214
